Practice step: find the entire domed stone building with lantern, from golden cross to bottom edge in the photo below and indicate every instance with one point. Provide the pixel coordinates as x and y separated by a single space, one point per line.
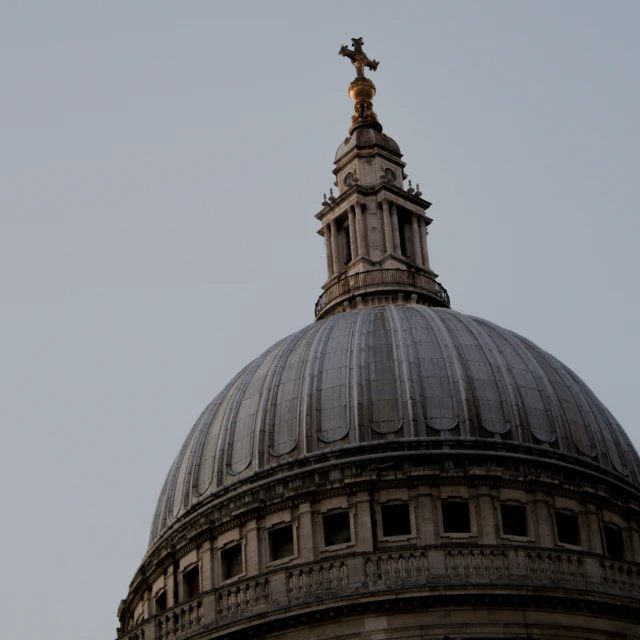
396 469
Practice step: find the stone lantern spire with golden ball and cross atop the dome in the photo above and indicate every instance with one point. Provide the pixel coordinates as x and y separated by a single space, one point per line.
375 230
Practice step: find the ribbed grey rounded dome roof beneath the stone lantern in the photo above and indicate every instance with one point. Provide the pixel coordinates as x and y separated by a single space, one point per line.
389 374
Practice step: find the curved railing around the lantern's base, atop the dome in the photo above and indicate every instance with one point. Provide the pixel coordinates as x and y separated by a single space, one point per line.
383 277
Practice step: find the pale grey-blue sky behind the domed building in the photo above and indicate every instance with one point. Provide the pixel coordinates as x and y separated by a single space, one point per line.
161 163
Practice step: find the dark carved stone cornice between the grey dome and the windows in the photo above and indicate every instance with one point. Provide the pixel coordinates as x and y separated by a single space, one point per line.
561 477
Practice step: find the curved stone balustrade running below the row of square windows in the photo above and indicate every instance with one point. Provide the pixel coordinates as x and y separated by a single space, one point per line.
410 568
